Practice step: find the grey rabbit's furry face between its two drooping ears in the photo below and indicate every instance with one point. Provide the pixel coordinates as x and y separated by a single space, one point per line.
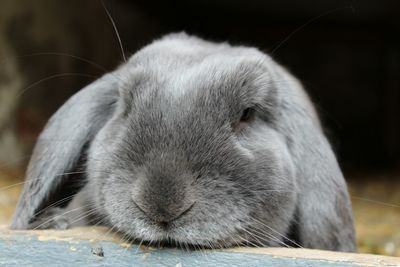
187 157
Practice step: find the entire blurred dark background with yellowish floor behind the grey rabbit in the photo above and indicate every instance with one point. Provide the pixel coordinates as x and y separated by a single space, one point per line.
346 53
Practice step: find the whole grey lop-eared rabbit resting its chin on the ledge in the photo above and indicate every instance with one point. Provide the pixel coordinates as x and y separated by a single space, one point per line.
190 141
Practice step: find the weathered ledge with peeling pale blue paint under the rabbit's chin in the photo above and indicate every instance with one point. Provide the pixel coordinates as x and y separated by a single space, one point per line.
99 247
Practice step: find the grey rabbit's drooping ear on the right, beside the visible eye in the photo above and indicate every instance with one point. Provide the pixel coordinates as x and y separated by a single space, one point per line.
323 216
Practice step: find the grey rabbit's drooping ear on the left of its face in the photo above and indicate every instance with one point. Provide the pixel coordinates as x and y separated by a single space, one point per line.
61 144
